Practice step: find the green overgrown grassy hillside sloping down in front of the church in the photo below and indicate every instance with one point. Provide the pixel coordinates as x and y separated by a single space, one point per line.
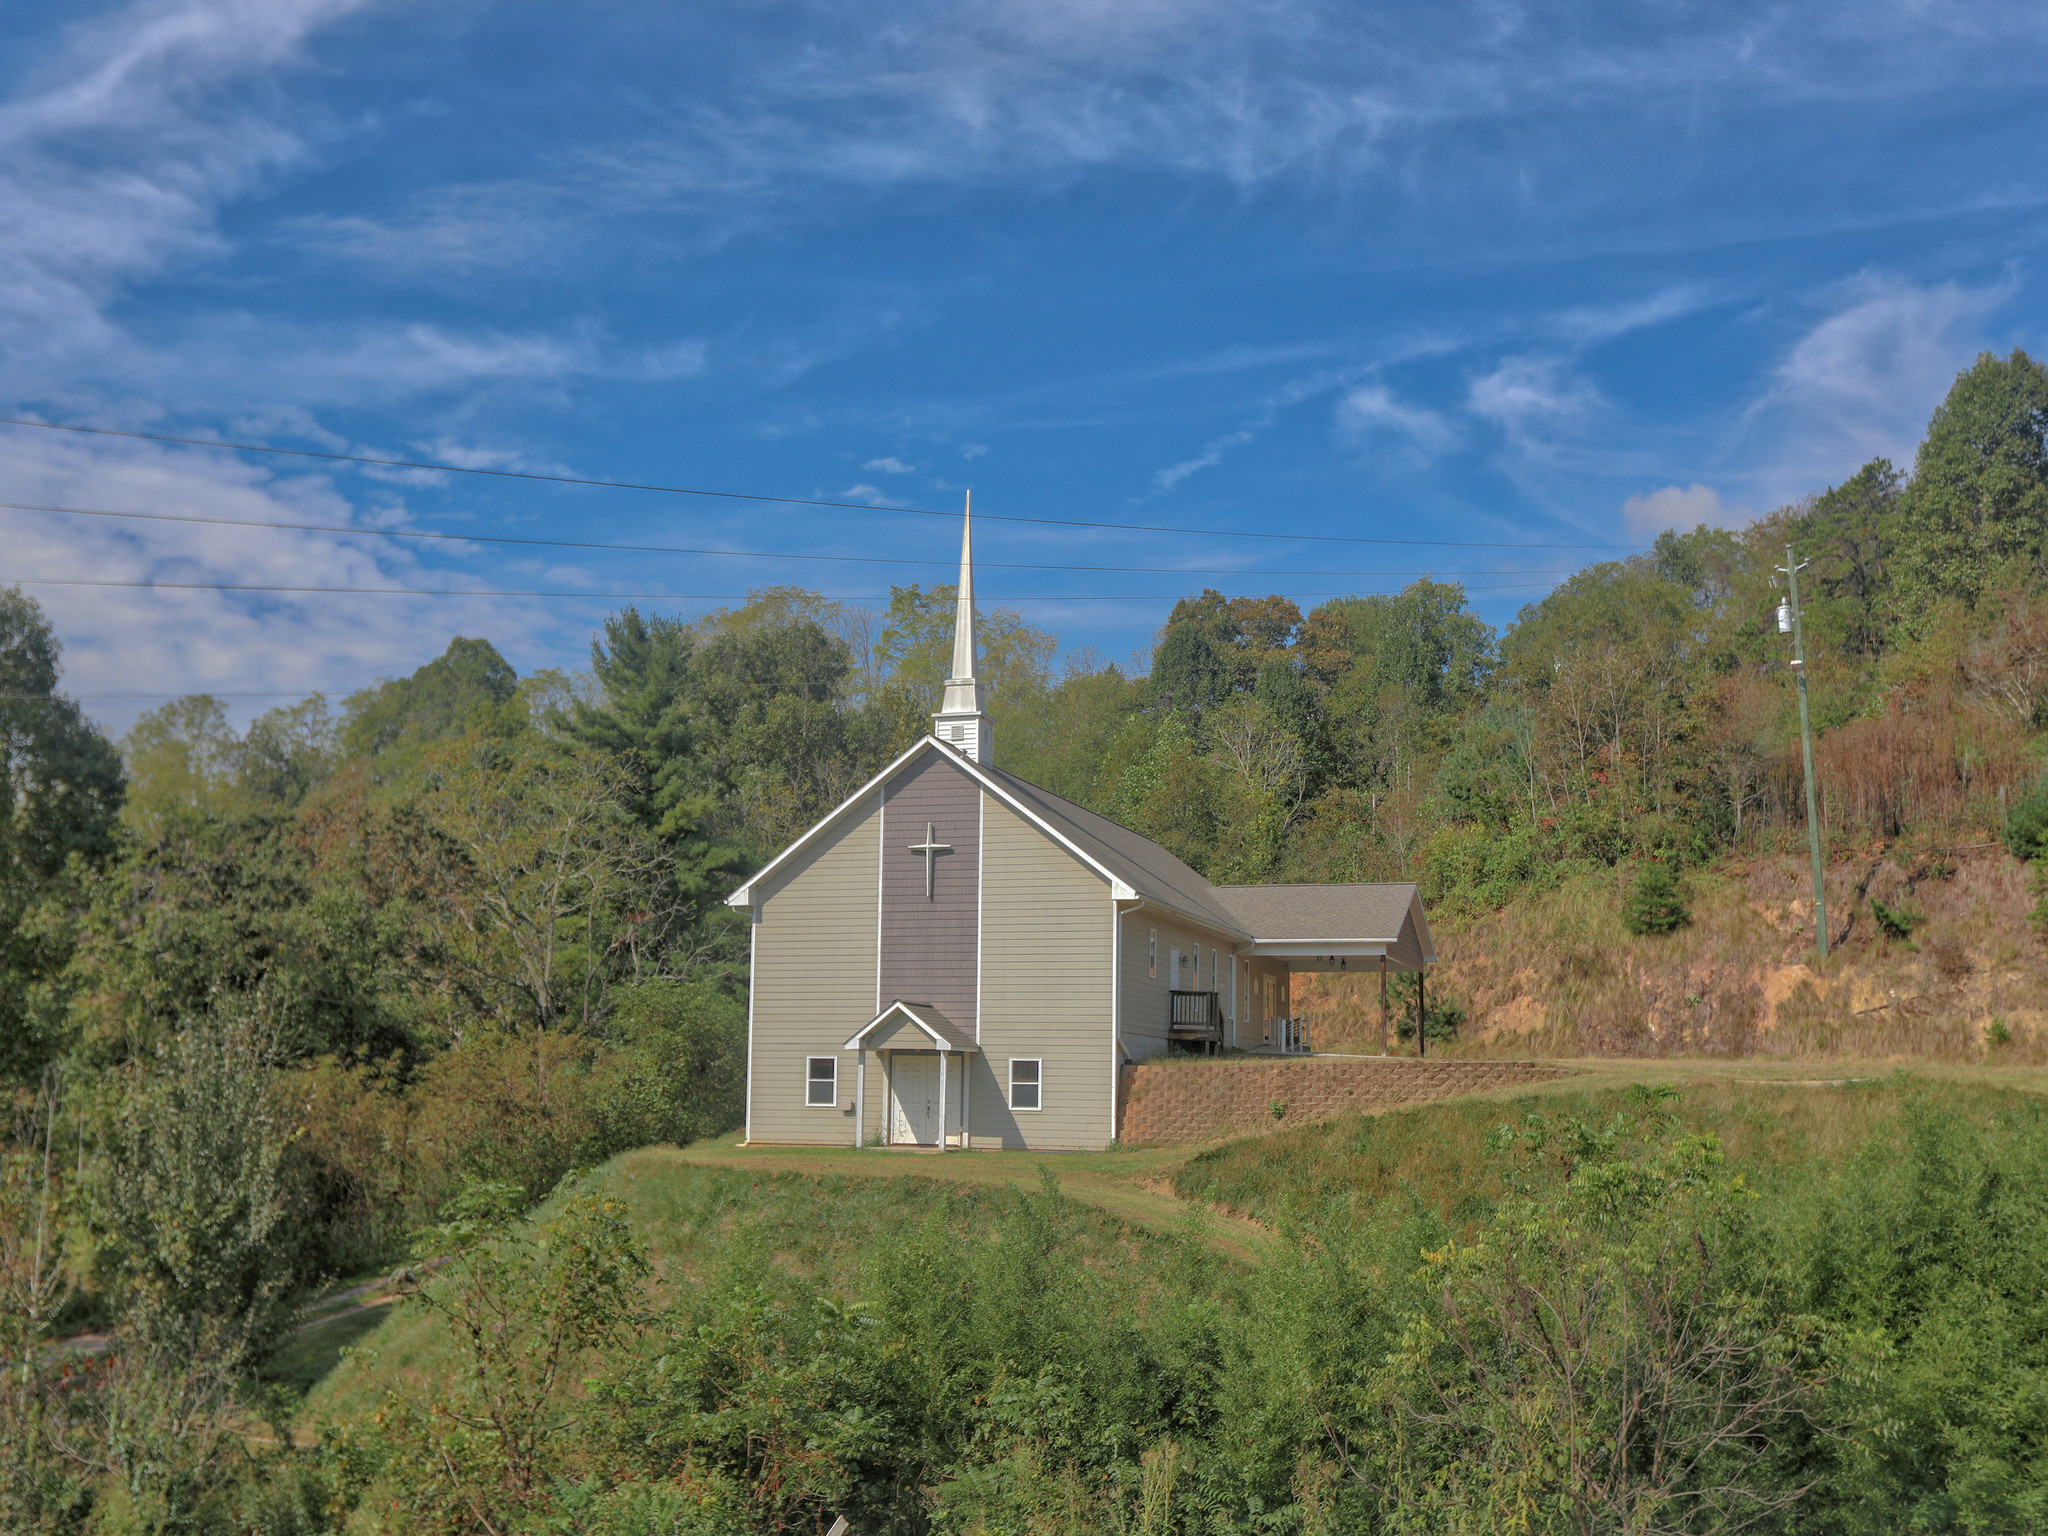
955 1345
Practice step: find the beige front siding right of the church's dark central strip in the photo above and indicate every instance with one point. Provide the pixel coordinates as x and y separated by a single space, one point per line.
1046 990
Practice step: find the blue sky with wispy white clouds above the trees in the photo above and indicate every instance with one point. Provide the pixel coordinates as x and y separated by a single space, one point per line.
1553 275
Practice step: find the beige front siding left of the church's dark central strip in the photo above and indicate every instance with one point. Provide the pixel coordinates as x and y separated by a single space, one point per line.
814 980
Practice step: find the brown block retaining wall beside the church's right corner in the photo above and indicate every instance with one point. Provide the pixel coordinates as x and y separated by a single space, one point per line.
1166 1105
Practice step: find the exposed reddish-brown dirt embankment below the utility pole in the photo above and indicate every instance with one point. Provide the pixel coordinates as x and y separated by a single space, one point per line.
1558 974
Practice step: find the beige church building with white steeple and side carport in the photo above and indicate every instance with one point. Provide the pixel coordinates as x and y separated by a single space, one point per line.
962 959
